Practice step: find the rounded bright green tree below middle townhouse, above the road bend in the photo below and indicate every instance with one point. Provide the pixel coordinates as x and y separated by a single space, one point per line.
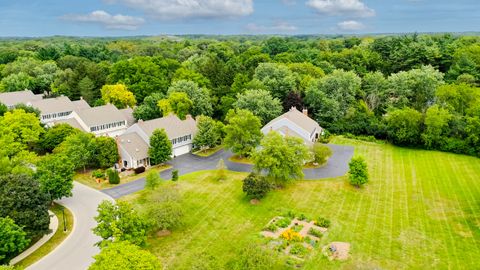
79 148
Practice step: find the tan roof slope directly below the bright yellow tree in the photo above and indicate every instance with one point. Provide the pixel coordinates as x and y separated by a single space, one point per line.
101 115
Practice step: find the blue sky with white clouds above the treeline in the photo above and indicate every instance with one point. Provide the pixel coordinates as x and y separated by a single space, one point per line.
32 18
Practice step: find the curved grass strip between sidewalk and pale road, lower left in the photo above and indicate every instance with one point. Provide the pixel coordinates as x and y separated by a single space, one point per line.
53 242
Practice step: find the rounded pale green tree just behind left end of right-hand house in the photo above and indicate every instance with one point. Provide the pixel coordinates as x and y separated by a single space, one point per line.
260 103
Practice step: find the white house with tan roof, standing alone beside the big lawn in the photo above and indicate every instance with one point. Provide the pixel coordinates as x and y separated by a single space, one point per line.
295 123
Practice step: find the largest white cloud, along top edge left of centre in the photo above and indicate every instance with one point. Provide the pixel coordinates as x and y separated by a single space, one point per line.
179 9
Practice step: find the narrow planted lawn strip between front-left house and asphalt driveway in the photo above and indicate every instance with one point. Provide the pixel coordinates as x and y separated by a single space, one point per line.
87 179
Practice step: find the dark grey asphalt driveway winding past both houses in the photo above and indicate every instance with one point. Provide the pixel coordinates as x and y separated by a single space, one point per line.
337 166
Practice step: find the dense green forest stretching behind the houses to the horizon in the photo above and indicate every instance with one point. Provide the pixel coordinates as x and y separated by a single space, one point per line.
415 90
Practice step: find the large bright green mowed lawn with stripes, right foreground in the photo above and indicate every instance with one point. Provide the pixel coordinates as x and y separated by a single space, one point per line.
421 210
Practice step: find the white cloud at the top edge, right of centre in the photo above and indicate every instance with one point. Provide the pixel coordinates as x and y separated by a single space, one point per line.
351 8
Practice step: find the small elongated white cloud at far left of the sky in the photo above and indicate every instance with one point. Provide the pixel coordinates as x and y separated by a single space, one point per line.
109 21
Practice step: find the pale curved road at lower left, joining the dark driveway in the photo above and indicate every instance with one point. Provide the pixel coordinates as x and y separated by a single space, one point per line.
77 250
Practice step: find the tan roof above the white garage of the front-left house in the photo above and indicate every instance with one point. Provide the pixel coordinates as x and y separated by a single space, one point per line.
174 127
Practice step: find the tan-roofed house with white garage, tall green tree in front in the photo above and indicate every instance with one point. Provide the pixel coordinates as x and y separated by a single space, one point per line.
134 143
